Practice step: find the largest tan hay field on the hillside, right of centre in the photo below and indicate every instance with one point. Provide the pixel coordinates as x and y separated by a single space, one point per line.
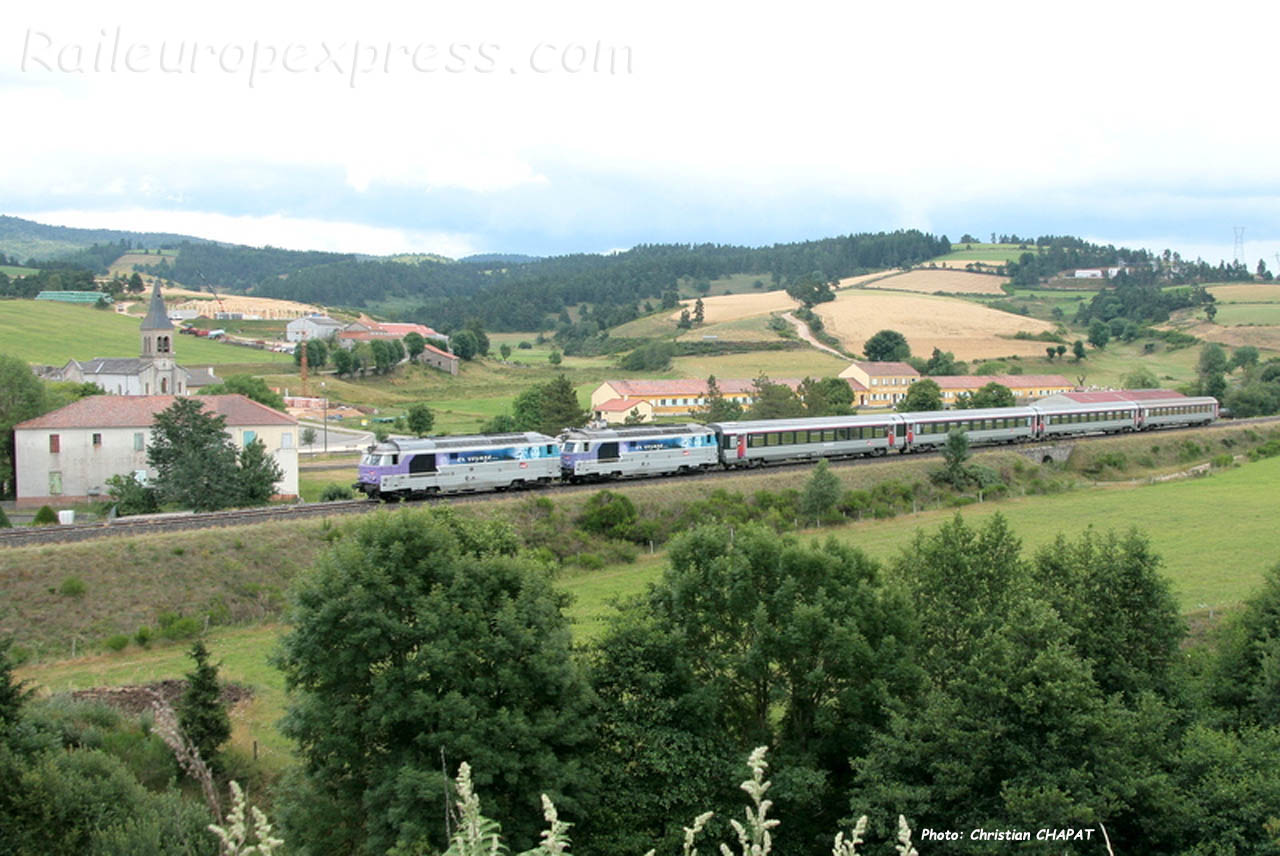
970 331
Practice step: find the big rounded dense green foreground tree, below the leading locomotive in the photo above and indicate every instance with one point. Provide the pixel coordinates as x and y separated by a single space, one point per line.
452 648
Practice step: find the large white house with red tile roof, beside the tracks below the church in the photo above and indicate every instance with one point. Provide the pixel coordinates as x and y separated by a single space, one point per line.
67 456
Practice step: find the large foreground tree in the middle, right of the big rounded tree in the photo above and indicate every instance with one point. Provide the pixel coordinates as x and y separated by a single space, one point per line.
765 642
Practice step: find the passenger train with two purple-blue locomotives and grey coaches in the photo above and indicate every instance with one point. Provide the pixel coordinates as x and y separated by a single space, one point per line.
415 469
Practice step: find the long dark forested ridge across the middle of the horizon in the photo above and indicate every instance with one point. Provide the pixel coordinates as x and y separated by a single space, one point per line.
522 296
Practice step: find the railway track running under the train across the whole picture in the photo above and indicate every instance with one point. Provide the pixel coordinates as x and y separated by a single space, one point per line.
148 525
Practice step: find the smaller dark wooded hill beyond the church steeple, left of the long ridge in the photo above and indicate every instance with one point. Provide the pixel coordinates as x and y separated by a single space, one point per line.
237 268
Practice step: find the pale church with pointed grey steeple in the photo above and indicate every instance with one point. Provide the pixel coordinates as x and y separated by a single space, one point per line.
154 373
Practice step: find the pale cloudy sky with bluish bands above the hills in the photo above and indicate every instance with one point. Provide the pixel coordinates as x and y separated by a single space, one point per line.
587 127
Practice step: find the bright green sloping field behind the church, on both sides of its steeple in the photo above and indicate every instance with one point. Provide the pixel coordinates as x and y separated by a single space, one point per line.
49 333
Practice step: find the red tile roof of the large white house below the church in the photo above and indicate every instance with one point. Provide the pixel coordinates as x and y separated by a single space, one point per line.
139 411
